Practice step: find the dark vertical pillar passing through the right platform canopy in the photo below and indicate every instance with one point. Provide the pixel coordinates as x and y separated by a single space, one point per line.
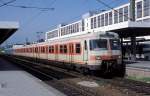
133 38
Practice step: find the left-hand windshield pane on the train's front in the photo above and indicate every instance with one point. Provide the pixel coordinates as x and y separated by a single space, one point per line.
98 44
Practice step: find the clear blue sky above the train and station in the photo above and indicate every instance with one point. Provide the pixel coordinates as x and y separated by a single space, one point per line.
32 20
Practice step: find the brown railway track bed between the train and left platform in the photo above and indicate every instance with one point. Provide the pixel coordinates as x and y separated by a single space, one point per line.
63 80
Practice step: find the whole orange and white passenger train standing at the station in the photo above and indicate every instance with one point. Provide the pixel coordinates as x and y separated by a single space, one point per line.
87 52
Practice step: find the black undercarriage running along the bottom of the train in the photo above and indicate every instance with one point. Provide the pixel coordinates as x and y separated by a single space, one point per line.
107 68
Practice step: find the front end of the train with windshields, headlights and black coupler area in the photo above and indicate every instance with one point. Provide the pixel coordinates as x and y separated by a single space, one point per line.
105 52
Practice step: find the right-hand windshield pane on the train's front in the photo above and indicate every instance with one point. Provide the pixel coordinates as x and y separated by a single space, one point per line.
115 44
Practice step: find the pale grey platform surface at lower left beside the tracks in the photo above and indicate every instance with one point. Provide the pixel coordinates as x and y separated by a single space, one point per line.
16 82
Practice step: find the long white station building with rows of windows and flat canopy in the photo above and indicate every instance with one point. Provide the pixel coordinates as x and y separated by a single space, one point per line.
116 20
